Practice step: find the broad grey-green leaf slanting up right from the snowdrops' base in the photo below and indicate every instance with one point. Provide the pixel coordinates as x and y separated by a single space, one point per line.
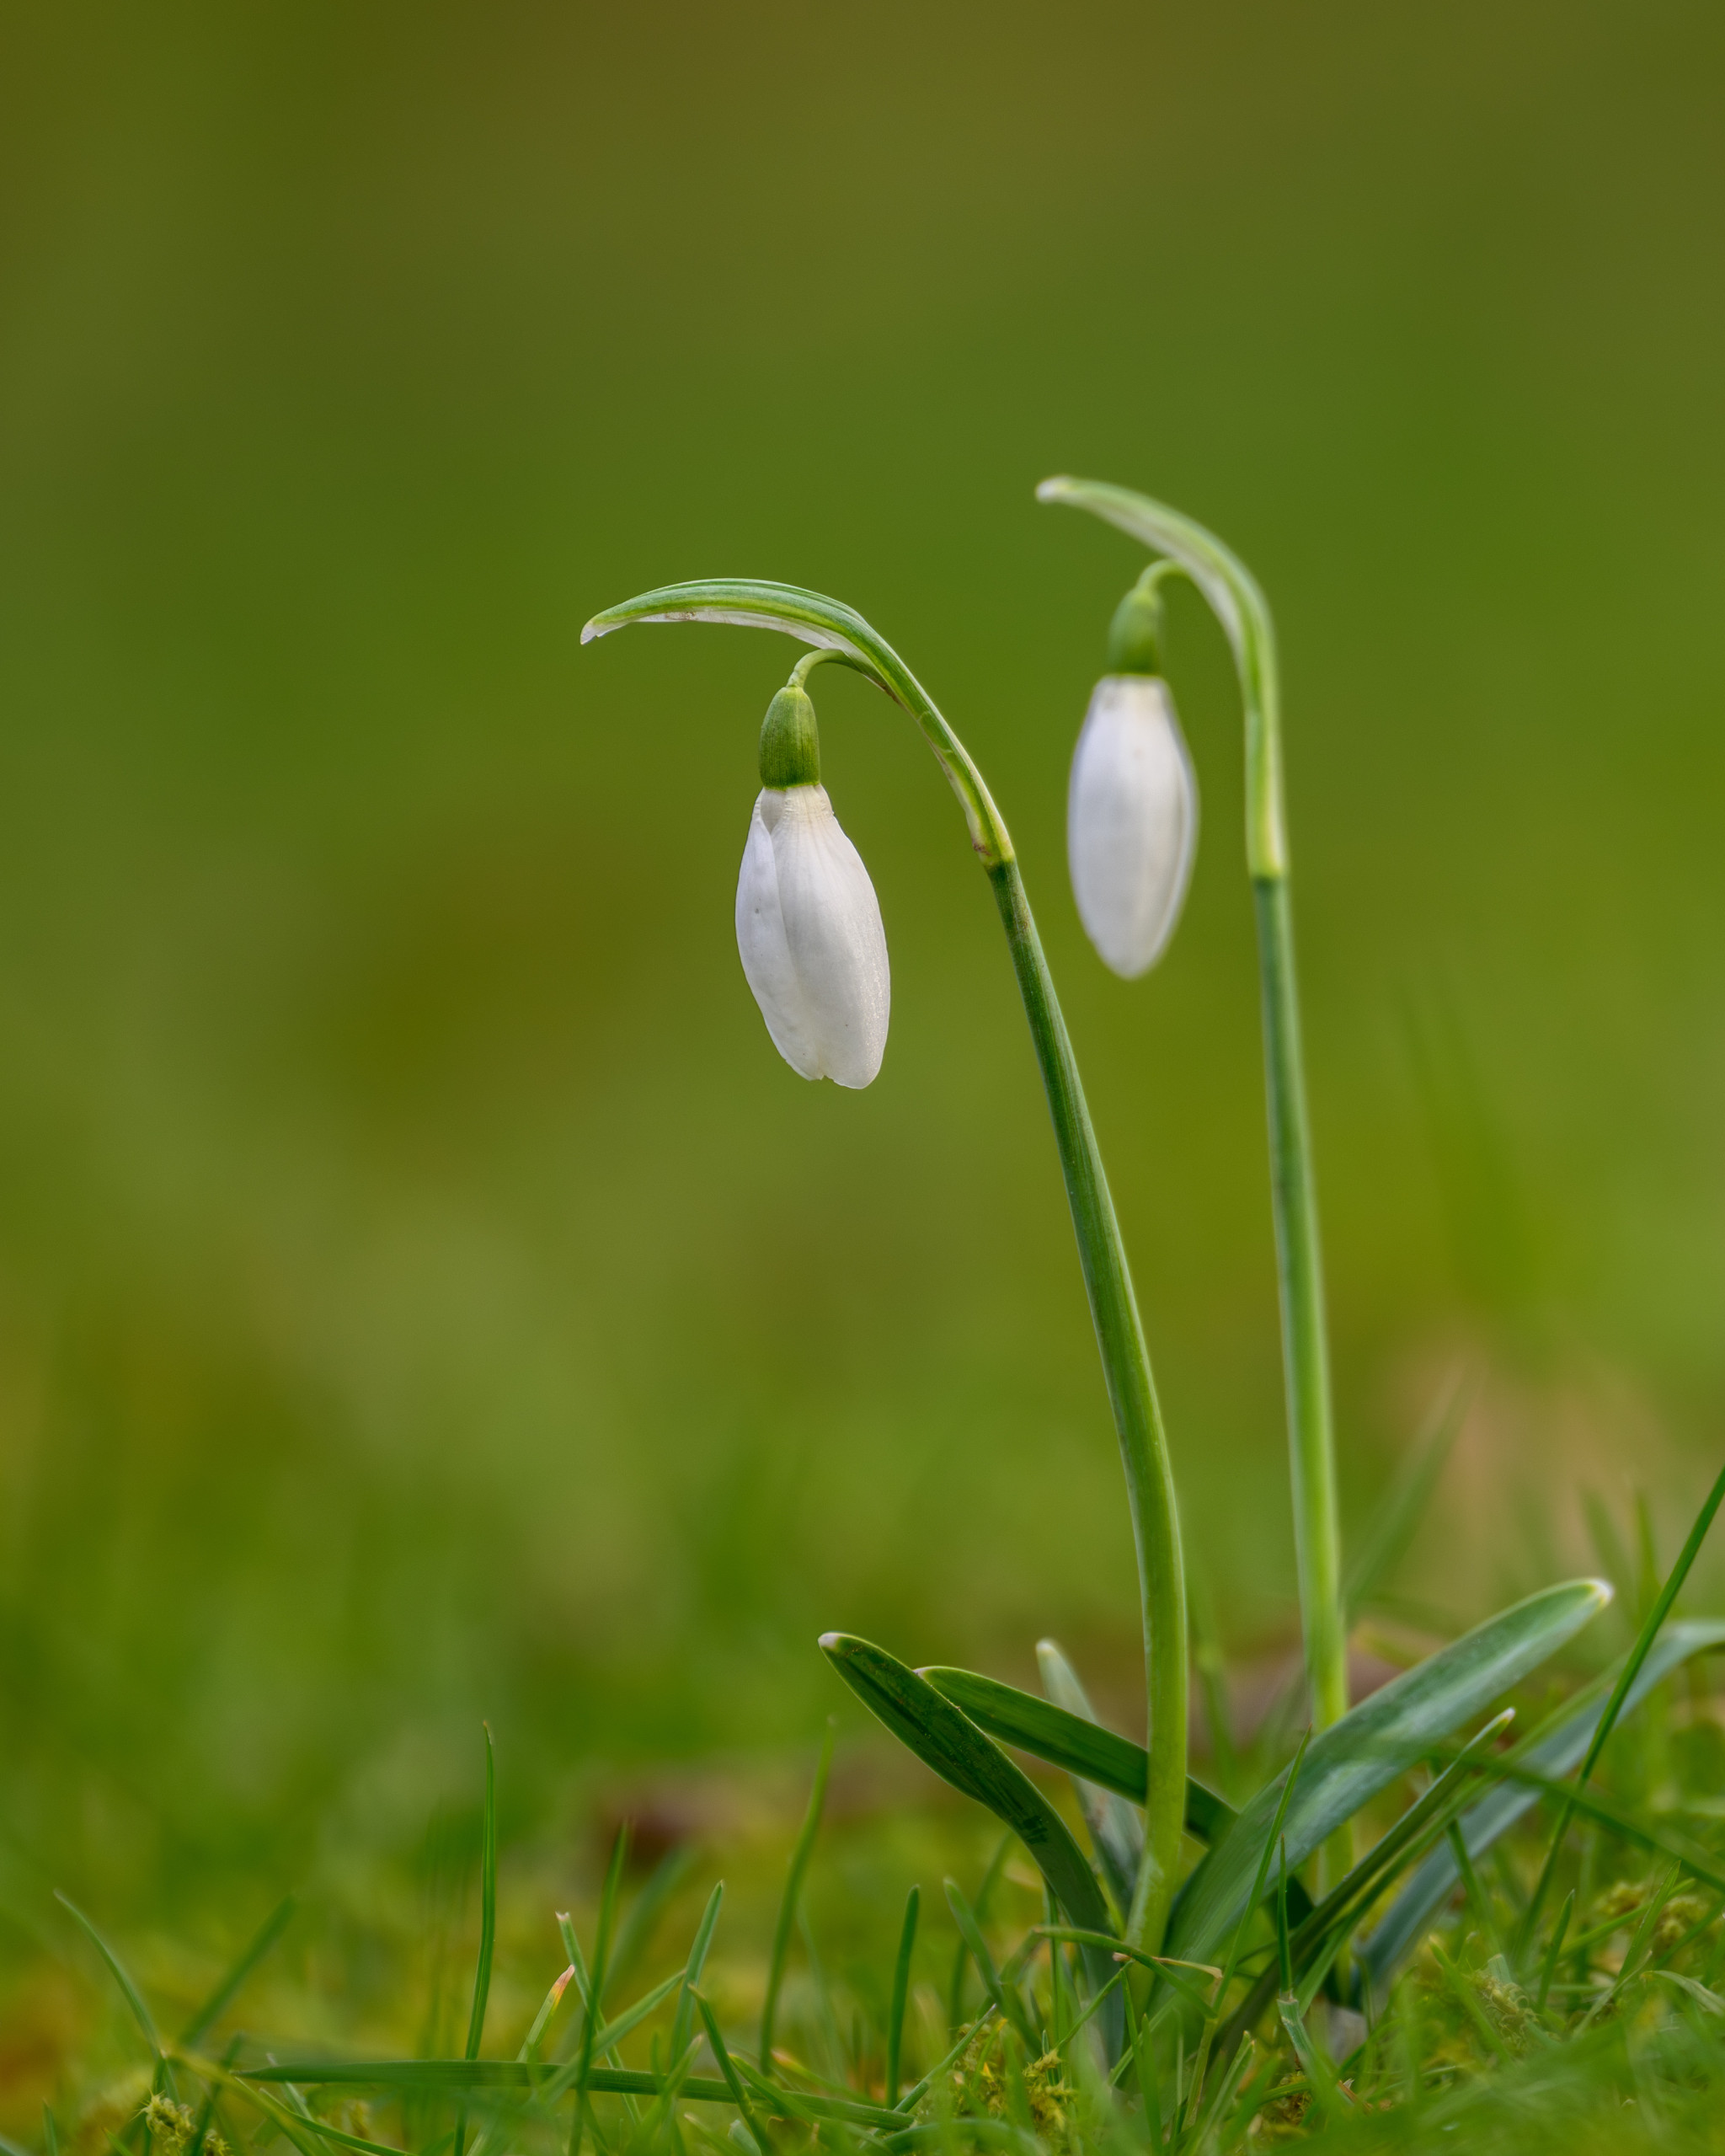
1360 1756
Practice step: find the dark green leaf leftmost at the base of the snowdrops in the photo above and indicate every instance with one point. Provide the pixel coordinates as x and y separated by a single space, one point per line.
958 1752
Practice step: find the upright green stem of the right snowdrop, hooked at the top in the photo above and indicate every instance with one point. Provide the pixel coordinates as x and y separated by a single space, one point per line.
1245 618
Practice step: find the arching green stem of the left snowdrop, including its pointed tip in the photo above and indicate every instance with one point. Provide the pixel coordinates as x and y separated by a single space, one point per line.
1101 1252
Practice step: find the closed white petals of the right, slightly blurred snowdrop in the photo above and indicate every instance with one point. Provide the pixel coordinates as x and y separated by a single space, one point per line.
1133 823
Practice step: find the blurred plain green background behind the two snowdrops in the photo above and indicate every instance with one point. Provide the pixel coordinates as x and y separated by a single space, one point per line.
424 1290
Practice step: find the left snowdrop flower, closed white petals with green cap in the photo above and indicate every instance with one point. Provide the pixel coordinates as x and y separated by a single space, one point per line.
808 915
